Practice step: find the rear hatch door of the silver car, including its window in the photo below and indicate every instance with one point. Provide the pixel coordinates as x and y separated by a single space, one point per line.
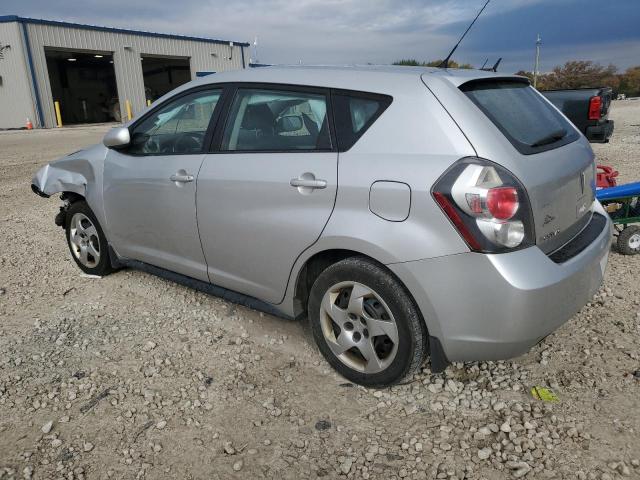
510 123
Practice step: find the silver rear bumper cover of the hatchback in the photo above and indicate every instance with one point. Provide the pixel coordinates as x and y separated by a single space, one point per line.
491 307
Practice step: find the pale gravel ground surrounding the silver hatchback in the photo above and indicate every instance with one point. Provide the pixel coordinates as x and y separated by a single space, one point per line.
132 376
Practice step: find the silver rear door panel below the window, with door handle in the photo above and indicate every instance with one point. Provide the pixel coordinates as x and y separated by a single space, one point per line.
254 223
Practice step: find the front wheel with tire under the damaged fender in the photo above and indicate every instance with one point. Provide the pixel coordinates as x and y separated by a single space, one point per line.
86 240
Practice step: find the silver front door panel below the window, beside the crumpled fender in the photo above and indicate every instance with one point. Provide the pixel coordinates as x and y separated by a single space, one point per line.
152 217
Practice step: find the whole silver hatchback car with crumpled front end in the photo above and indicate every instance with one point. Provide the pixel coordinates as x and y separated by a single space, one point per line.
407 212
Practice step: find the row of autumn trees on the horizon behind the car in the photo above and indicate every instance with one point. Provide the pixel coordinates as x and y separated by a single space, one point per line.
573 74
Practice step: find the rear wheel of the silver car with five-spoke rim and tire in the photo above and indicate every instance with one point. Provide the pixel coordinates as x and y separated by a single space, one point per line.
365 323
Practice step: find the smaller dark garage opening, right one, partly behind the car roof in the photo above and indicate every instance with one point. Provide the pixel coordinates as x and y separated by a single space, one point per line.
163 74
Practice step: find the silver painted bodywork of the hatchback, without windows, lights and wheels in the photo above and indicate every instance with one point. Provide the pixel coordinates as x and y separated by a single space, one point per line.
247 222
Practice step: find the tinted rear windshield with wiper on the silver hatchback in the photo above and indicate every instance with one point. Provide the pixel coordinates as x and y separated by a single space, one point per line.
528 122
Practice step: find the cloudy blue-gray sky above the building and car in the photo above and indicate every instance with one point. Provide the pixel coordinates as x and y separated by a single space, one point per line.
379 31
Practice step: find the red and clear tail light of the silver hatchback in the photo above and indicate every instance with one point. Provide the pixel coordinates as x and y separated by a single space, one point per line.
487 205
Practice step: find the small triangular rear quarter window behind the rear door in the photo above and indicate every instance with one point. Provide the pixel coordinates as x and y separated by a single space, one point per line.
355 112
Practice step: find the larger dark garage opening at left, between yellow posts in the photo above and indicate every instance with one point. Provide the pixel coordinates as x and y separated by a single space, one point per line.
85 85
